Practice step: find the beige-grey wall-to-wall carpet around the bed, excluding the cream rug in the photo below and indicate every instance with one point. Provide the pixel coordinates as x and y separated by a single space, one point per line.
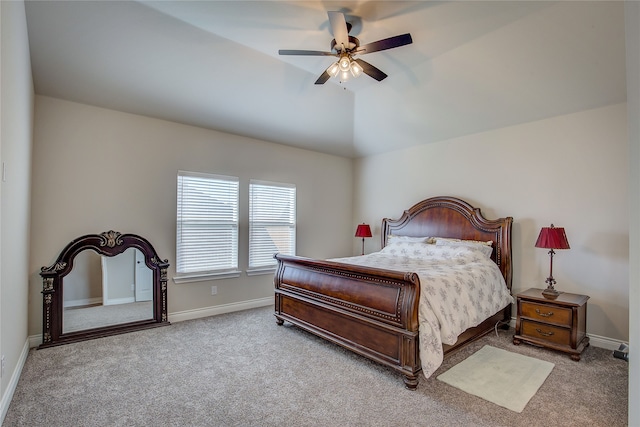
242 370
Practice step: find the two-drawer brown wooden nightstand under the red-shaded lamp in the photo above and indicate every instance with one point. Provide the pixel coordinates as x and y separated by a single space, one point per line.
559 324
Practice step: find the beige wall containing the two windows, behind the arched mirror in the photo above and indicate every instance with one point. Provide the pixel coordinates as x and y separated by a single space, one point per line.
96 169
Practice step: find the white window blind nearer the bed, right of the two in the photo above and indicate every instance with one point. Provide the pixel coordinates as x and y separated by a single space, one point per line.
272 222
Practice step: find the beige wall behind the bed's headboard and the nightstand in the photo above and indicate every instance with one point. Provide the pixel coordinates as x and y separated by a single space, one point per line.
569 170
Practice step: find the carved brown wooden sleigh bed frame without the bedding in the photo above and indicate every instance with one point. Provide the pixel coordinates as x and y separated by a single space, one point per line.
374 312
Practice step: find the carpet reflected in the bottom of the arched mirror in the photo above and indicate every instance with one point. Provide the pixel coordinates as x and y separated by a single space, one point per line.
77 319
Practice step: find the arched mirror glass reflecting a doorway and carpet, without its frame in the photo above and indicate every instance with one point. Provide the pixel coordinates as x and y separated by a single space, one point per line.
103 291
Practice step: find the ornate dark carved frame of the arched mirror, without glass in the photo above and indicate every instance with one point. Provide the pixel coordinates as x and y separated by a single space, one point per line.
109 243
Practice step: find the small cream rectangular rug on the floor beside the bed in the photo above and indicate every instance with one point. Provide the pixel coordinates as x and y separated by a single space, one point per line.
499 376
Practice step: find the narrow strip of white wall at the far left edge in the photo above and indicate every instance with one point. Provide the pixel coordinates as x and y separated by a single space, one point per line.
16 115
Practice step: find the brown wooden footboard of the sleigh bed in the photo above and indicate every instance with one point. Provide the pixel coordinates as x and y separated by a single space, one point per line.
373 312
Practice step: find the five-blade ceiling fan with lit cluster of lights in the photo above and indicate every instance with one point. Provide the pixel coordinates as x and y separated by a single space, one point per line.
346 47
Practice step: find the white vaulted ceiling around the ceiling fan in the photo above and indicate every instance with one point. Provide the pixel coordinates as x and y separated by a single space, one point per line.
473 66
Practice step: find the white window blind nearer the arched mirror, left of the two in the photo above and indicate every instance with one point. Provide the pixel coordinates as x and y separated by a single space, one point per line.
207 223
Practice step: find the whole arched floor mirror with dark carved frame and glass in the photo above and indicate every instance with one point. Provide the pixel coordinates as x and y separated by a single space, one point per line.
100 285
